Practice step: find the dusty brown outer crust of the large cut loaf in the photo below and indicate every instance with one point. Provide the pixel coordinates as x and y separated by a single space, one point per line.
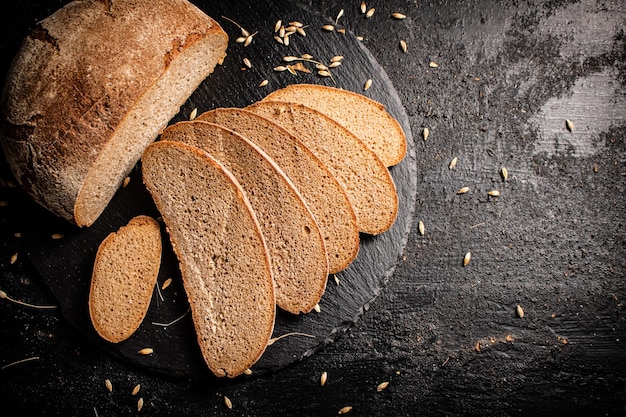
75 79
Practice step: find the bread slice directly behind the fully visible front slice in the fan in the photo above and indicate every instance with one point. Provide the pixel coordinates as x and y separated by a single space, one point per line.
295 244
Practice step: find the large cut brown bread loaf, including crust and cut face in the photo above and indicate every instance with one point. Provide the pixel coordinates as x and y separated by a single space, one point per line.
92 86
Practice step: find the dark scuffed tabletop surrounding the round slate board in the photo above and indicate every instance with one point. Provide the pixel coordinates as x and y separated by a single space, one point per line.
446 337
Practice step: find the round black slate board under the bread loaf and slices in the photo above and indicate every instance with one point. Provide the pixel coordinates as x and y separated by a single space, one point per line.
65 264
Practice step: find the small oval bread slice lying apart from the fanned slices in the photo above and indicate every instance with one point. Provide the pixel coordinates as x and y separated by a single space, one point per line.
124 273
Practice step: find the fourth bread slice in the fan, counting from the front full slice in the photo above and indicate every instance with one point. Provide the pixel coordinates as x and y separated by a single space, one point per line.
365 178
